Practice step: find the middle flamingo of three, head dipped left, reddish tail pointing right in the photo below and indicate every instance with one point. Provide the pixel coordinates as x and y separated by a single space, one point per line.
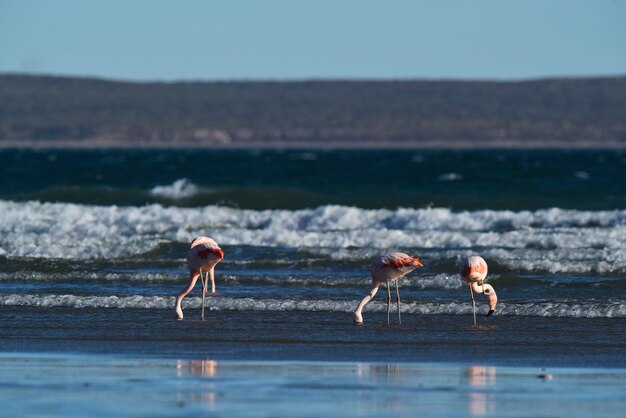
385 269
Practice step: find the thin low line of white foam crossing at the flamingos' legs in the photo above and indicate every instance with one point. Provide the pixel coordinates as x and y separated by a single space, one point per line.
572 309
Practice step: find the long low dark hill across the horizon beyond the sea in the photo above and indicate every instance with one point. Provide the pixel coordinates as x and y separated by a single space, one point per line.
42 110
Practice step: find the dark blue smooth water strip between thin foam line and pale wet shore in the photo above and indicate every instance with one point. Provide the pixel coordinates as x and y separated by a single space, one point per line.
320 336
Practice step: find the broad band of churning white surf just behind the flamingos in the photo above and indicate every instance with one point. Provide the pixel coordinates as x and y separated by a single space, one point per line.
553 240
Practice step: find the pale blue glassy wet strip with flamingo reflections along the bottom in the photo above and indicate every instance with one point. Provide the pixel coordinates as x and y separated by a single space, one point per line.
69 386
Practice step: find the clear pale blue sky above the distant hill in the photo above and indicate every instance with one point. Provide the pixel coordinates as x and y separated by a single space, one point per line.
291 39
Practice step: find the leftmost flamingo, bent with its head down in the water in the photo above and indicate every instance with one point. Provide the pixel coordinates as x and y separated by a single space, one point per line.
203 255
